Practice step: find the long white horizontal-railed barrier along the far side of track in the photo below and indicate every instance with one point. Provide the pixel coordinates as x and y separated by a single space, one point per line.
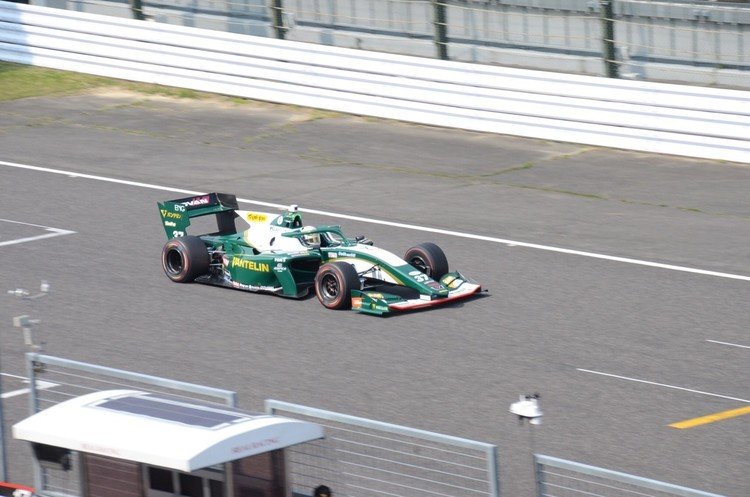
651 117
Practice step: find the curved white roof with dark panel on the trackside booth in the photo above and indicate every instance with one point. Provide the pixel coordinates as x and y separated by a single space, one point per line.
161 430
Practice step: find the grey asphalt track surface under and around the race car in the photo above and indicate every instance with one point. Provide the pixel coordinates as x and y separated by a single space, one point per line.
618 281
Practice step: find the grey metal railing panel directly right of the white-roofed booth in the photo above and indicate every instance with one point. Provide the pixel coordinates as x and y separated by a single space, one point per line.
362 457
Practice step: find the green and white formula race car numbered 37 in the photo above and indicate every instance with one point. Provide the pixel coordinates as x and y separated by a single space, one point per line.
276 253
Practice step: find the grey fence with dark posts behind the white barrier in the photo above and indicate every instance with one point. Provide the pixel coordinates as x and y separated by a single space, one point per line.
701 43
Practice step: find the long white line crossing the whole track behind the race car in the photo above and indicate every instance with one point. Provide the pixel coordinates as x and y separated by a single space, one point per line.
511 243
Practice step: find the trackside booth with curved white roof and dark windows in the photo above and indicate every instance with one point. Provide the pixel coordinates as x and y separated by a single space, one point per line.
162 446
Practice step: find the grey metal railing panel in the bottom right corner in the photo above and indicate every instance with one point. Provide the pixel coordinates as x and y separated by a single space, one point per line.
561 478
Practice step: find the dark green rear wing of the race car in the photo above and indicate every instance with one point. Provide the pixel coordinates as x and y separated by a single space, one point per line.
176 214
